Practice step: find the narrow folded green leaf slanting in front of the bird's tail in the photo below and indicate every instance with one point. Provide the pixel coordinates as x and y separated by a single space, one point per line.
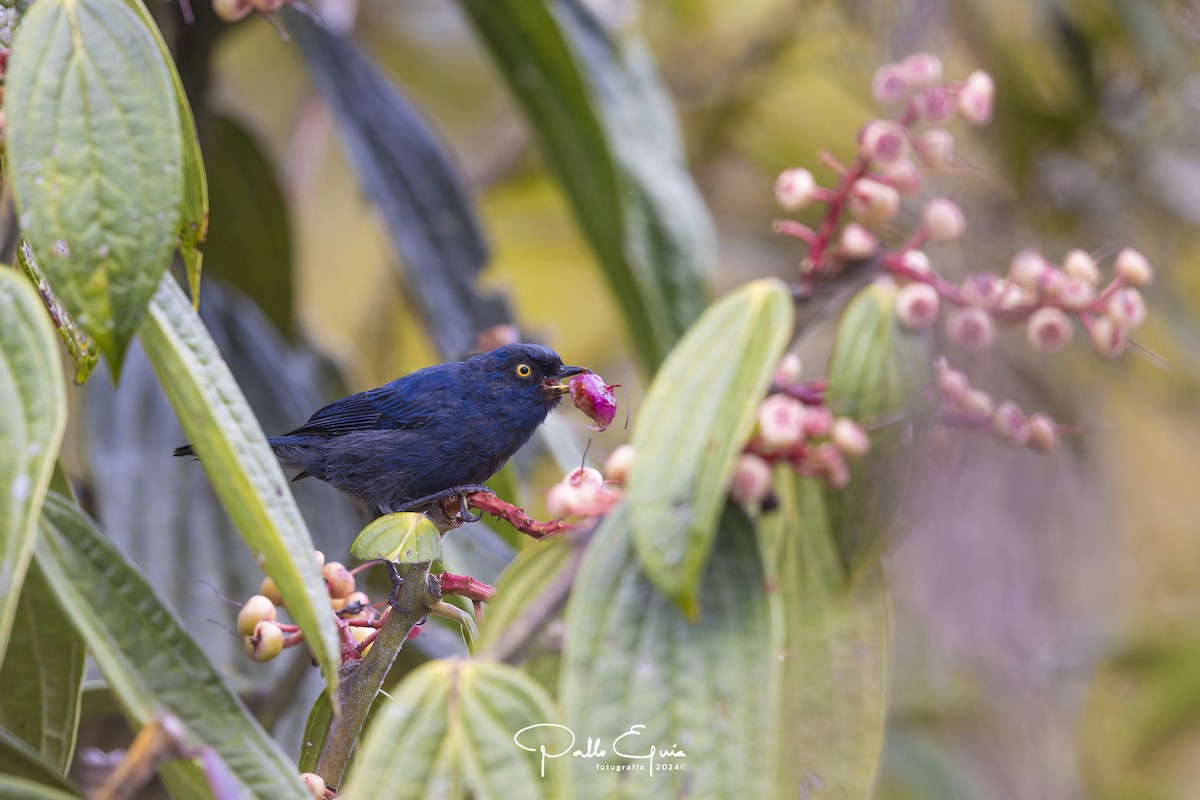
241 465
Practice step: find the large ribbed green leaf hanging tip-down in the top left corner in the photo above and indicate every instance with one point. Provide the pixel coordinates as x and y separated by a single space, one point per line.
97 161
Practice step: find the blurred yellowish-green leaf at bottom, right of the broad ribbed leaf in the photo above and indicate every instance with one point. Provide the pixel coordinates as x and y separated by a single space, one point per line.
835 646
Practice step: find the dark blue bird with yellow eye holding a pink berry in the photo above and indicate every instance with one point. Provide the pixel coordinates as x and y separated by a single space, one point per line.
434 431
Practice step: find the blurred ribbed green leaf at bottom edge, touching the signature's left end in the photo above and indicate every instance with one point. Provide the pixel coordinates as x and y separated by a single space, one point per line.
448 732
